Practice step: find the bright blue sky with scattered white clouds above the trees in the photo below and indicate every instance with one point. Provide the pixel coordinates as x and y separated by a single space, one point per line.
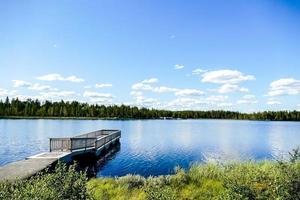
177 55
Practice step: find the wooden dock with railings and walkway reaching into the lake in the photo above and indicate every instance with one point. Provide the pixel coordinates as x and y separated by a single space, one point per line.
61 149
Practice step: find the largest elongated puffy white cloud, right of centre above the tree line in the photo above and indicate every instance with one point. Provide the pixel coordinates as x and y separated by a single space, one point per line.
225 77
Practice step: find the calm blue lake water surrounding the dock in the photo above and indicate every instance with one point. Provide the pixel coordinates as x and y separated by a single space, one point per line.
154 147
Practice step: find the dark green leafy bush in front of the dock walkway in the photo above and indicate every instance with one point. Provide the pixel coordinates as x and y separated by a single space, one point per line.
63 183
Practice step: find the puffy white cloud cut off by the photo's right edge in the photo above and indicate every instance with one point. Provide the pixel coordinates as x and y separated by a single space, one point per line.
284 86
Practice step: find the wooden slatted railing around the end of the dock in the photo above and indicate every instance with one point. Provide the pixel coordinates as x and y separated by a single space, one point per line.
92 140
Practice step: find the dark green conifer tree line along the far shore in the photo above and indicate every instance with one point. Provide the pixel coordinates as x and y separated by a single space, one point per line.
36 108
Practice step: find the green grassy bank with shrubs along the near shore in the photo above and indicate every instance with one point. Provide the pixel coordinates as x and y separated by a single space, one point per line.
249 180
